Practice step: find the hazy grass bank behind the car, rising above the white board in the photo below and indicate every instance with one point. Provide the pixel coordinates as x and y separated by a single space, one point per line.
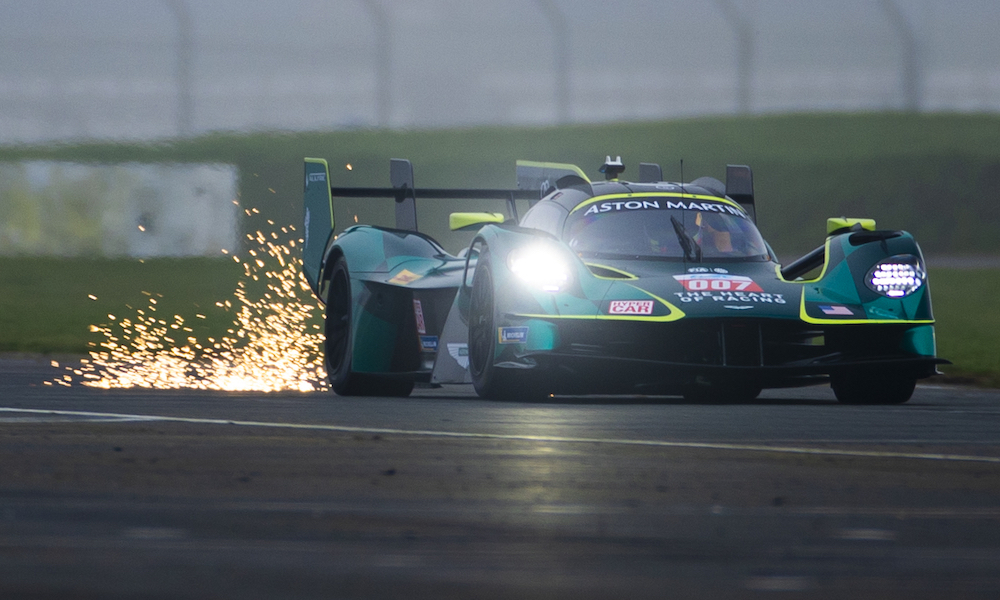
936 175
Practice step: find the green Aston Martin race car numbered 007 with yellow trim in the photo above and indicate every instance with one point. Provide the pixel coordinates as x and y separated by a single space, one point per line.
616 288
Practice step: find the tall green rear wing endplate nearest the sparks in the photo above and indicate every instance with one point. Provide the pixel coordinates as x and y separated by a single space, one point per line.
319 220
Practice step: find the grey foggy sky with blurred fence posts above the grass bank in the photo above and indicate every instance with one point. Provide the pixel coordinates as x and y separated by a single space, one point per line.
152 69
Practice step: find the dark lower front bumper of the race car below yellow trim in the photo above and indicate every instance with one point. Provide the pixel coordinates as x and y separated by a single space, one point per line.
628 356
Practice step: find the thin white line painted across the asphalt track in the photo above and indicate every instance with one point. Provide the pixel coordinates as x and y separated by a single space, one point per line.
527 438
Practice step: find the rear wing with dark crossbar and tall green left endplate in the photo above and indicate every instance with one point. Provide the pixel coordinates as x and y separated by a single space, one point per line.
319 194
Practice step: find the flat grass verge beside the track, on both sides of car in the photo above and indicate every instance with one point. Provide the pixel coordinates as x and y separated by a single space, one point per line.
44 305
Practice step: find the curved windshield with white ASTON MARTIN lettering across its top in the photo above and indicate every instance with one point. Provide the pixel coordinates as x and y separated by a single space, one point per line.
663 227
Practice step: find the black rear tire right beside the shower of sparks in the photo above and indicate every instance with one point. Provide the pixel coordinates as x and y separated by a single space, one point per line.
337 347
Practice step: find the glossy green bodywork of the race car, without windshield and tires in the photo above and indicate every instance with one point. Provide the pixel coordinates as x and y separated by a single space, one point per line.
619 323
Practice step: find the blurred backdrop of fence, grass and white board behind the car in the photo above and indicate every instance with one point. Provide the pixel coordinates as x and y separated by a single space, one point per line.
134 133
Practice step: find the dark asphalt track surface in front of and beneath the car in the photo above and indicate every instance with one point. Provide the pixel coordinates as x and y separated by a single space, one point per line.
181 494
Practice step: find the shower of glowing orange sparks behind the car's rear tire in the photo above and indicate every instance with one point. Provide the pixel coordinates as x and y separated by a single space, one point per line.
274 344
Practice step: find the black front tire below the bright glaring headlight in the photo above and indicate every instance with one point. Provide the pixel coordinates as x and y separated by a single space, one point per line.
490 381
